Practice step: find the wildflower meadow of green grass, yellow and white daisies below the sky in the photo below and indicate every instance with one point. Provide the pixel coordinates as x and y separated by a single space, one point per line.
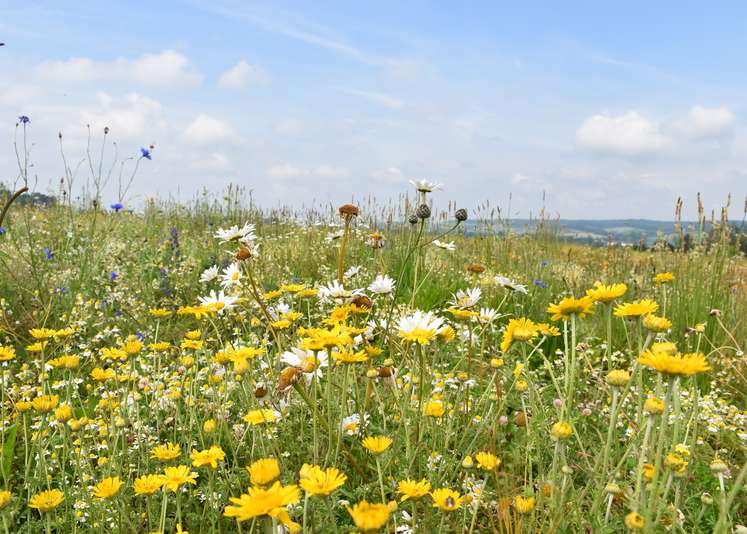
493 417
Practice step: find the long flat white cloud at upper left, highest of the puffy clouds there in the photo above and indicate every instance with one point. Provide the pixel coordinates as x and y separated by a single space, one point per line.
166 69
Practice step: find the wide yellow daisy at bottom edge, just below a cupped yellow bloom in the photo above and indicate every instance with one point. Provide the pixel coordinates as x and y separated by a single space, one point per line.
271 502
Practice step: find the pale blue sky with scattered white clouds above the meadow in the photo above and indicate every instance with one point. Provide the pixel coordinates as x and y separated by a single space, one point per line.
591 111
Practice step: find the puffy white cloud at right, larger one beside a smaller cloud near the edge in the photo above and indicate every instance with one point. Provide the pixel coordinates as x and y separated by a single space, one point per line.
629 134
